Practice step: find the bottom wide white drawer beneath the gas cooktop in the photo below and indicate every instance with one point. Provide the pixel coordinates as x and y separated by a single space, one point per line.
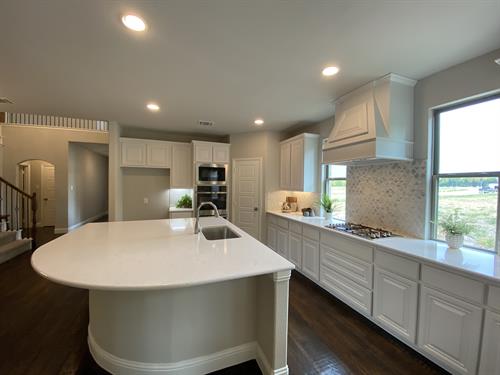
356 296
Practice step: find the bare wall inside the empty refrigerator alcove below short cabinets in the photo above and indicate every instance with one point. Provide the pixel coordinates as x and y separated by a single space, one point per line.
150 183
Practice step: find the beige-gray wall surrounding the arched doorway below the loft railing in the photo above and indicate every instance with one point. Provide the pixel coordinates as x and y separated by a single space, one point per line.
27 143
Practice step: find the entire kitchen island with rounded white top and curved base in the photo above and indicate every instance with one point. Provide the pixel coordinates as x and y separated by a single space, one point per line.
164 300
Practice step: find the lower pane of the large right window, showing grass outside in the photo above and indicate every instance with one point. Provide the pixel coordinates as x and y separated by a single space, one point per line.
476 198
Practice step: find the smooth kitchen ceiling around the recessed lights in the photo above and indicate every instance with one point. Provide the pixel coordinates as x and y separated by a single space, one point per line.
226 61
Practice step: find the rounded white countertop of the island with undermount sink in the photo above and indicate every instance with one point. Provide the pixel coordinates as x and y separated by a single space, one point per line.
152 254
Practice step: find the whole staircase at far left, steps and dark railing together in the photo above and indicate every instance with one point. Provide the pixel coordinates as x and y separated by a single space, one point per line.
17 221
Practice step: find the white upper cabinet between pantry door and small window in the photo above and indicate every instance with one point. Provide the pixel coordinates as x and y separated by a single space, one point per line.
299 163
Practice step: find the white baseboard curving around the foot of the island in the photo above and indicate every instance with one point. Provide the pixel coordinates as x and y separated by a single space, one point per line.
193 366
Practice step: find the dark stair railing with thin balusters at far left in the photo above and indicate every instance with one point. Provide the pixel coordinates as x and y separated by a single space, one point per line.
18 210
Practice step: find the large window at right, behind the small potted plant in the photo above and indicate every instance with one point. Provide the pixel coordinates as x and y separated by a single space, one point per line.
467 169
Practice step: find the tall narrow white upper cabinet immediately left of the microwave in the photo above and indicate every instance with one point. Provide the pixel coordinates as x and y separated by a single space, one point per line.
182 166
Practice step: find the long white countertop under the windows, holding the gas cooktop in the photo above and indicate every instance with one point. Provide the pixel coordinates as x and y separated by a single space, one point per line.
470 261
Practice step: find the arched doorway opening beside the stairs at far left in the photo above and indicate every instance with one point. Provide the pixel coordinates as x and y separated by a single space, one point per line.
38 176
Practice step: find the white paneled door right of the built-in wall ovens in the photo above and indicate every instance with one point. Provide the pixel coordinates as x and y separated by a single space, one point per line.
247 193
